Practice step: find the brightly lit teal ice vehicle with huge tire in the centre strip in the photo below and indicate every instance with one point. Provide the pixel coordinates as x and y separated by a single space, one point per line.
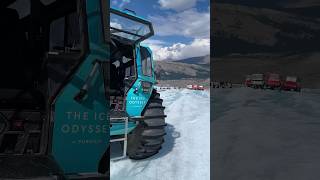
137 118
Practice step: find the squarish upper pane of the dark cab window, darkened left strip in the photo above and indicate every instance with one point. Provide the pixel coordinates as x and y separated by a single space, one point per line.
65 34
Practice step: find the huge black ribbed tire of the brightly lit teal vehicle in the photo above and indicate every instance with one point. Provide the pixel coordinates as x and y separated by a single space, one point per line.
147 138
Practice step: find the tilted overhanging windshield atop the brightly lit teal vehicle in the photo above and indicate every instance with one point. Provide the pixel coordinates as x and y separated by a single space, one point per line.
128 27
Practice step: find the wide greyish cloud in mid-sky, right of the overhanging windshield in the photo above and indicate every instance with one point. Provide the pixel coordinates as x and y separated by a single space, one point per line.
188 23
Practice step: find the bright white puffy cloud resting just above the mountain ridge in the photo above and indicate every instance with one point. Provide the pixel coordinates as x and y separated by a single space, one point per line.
178 51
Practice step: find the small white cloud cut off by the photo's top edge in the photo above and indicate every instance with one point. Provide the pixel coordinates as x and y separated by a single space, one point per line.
177 5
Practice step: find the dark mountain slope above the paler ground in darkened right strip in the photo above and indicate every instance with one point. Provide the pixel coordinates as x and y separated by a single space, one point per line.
243 29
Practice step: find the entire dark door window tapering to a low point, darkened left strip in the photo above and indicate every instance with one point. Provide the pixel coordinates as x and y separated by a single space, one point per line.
65 48
